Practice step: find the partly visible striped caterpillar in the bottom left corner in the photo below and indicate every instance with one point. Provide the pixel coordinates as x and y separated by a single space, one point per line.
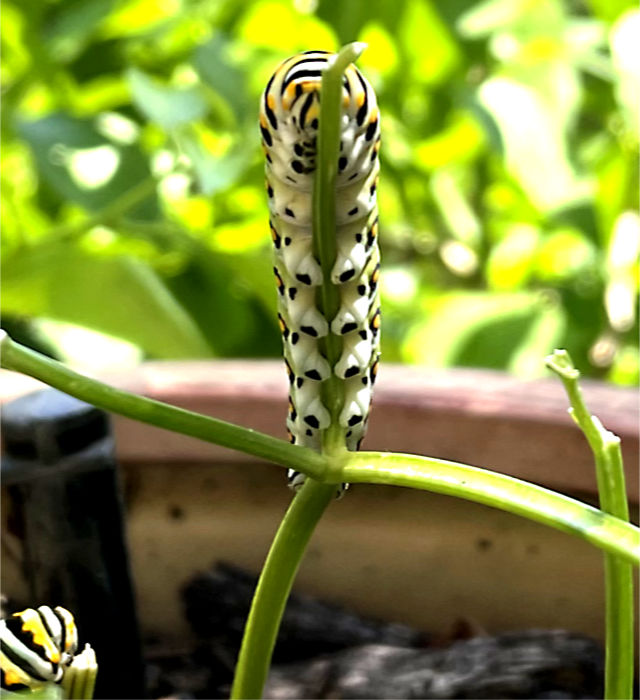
36 645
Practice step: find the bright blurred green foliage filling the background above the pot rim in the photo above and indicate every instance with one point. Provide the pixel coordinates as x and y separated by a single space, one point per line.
132 177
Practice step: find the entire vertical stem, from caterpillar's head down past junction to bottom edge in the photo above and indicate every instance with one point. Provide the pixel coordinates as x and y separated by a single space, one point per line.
310 503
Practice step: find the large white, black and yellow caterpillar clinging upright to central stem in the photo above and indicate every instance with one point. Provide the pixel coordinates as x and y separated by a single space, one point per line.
289 111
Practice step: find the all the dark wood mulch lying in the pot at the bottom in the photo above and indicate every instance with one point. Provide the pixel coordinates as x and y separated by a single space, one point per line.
324 651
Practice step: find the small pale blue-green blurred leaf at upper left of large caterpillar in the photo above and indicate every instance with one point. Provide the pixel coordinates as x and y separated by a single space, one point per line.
167 106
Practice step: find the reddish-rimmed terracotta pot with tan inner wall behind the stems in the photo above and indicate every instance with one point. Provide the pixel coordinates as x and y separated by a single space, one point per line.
406 556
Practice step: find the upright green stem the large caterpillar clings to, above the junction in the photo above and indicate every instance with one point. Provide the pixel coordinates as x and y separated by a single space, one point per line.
324 229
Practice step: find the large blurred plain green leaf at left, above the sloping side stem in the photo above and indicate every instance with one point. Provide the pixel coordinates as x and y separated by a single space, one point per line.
119 296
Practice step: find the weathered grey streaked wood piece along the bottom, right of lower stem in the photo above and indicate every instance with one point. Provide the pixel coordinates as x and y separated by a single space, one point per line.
530 664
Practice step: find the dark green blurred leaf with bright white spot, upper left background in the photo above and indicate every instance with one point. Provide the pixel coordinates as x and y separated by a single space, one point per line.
84 166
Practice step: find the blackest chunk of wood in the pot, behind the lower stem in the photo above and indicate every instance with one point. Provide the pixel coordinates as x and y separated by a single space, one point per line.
217 604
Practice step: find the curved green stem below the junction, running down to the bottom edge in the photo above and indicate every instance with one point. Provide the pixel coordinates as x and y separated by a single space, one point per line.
274 587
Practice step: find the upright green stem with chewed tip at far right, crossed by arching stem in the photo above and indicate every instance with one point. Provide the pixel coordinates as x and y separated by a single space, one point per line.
619 660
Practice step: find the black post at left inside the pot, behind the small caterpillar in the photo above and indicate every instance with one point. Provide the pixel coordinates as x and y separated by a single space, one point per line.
59 464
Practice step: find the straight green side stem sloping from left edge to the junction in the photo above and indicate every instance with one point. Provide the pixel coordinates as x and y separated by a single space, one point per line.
20 359
